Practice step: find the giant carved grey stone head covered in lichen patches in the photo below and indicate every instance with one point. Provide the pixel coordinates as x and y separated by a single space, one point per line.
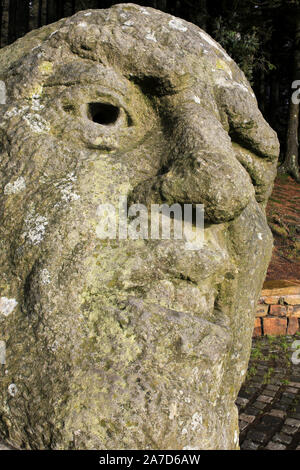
127 343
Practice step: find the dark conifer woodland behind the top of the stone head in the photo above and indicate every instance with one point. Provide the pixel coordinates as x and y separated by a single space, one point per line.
263 37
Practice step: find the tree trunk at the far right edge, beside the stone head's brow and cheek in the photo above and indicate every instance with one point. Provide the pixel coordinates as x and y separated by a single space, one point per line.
291 163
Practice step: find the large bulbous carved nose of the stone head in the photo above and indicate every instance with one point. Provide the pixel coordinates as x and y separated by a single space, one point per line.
201 169
